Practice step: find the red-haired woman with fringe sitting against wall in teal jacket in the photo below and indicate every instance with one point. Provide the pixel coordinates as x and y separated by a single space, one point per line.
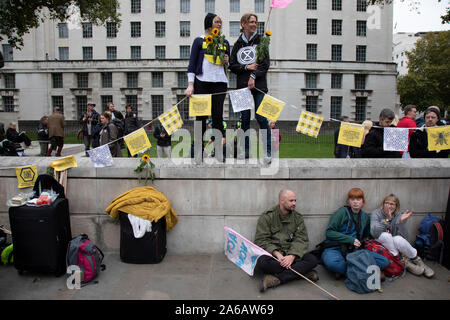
347 227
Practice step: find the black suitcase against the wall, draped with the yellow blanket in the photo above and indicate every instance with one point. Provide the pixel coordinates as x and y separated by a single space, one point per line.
149 249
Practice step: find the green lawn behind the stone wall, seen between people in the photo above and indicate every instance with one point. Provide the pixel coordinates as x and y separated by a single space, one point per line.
299 146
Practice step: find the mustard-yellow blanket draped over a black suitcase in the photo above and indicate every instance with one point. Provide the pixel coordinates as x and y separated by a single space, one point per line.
146 203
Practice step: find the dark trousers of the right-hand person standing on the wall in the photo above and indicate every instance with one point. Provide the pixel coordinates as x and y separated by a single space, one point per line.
262 121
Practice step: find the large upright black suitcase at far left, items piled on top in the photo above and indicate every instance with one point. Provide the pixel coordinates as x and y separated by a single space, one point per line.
40 236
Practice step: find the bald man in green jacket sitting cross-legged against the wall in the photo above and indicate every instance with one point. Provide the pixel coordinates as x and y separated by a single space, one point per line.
281 231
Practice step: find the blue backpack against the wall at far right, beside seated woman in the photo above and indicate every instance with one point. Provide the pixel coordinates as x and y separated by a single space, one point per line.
429 242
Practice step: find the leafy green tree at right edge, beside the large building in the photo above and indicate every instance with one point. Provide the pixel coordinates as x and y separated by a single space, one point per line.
427 82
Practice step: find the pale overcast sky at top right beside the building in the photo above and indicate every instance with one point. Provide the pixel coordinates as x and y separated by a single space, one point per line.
426 18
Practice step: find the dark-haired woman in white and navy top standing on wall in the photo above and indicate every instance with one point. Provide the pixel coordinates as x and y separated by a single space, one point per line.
206 76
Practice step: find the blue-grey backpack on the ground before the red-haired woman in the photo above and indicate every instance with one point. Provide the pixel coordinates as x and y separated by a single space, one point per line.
358 274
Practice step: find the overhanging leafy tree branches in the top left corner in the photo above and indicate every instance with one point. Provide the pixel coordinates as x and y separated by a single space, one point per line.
18 17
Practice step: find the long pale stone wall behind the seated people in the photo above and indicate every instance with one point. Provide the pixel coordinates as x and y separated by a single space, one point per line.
208 197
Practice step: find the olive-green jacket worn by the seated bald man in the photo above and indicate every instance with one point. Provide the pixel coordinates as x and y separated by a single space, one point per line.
289 236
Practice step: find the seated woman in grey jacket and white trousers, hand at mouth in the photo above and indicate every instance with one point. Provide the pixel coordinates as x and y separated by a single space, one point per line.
388 226
